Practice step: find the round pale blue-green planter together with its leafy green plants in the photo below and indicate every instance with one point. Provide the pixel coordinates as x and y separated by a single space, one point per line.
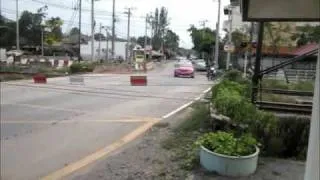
227 155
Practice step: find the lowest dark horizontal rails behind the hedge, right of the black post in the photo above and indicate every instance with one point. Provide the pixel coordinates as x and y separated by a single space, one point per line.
305 109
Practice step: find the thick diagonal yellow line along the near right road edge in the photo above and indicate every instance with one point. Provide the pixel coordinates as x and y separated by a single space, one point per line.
59 174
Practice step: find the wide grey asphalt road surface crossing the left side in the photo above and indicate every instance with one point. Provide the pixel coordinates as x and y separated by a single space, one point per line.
45 127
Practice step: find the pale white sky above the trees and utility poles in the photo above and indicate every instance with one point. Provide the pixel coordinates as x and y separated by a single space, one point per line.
181 13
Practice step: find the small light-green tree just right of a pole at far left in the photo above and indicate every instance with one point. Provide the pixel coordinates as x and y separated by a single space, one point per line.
55 33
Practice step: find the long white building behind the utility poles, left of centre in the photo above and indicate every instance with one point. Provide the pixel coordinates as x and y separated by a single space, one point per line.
120 50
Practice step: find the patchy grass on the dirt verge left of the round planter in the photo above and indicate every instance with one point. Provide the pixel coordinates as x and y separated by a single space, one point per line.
181 142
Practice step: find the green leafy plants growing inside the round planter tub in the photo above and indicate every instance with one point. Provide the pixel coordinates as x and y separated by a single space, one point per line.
226 144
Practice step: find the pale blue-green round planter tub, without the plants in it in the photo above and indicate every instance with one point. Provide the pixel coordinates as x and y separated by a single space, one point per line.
229 165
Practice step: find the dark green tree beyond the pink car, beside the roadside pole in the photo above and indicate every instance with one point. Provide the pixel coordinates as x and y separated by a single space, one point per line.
203 39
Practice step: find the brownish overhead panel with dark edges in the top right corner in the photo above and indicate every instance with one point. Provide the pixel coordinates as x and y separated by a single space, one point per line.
280 10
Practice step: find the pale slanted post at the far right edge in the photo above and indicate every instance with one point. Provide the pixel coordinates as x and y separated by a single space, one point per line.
313 156
